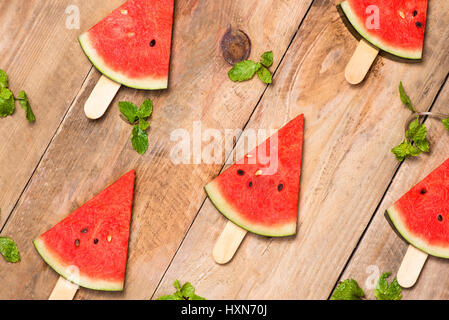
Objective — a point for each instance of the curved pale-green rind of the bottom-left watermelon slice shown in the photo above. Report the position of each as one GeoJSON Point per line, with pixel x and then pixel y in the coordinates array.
{"type": "Point", "coordinates": [84, 281]}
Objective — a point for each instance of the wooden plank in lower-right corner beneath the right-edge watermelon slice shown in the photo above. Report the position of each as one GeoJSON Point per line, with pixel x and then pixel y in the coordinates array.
{"type": "Point", "coordinates": [381, 249]}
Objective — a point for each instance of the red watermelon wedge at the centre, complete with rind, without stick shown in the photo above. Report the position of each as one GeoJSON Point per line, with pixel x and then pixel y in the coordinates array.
{"type": "Point", "coordinates": [261, 192]}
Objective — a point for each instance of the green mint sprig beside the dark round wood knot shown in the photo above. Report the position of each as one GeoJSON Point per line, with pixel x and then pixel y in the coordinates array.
{"type": "Point", "coordinates": [247, 69]}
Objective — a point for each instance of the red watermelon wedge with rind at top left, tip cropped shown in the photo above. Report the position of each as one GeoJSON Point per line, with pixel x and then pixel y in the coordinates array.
{"type": "Point", "coordinates": [132, 45]}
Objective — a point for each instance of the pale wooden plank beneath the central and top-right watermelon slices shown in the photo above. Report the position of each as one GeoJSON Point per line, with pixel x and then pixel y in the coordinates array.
{"type": "Point", "coordinates": [346, 168]}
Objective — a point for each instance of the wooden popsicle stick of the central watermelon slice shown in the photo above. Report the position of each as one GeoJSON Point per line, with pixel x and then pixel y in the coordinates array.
{"type": "Point", "coordinates": [228, 243]}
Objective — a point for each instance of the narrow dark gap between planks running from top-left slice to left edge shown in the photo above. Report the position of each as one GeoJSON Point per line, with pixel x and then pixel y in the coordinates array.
{"type": "Point", "coordinates": [71, 105]}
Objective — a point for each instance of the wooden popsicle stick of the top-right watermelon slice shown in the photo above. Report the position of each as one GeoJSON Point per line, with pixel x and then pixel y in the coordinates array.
{"type": "Point", "coordinates": [360, 63]}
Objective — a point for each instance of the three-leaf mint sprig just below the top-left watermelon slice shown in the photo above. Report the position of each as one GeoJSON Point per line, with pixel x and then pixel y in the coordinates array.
{"type": "Point", "coordinates": [138, 117]}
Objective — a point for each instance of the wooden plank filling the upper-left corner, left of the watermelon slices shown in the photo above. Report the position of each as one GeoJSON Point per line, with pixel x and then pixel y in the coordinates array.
{"type": "Point", "coordinates": [39, 55]}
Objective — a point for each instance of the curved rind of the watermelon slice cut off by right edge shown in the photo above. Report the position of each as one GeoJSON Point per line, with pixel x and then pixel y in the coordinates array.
{"type": "Point", "coordinates": [398, 222]}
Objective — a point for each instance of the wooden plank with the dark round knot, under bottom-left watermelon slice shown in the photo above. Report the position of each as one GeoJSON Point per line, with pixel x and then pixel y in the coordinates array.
{"type": "Point", "coordinates": [85, 156]}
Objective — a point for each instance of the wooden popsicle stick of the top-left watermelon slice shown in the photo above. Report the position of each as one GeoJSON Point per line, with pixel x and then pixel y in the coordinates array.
{"type": "Point", "coordinates": [101, 97]}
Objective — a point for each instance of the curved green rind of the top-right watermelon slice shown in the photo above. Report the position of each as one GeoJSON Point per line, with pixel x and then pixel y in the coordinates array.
{"type": "Point", "coordinates": [360, 28]}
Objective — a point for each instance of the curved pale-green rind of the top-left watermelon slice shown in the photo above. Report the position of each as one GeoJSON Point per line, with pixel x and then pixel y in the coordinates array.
{"type": "Point", "coordinates": [149, 83]}
